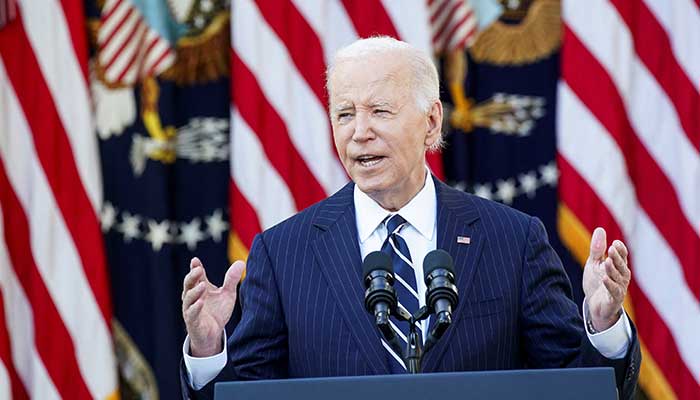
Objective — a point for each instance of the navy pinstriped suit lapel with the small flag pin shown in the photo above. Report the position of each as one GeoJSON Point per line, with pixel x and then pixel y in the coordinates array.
{"type": "Point", "coordinates": [456, 216]}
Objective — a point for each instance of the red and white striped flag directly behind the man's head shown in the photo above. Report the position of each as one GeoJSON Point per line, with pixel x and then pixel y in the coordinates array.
{"type": "Point", "coordinates": [283, 157]}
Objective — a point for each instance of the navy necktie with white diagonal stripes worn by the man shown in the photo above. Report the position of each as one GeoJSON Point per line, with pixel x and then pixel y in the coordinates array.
{"type": "Point", "coordinates": [405, 284]}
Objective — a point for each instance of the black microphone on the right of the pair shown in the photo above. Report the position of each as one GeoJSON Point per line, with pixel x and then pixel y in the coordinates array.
{"type": "Point", "coordinates": [441, 292]}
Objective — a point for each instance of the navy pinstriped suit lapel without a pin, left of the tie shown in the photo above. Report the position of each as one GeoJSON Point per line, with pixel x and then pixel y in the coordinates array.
{"type": "Point", "coordinates": [338, 255]}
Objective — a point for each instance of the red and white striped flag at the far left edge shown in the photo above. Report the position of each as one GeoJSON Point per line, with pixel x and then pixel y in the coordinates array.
{"type": "Point", "coordinates": [54, 307]}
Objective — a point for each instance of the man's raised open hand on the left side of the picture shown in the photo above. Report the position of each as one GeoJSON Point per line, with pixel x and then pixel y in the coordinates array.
{"type": "Point", "coordinates": [206, 308]}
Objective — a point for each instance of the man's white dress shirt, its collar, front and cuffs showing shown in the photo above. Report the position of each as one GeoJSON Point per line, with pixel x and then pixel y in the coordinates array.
{"type": "Point", "coordinates": [420, 236]}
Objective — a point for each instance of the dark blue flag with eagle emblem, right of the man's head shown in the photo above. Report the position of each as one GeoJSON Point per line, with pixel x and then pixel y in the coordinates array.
{"type": "Point", "coordinates": [500, 108]}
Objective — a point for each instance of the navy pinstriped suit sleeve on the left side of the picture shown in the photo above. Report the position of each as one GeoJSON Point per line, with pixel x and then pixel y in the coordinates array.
{"type": "Point", "coordinates": [257, 346]}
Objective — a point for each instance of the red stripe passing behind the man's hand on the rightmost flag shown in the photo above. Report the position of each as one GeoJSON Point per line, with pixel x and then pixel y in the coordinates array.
{"type": "Point", "coordinates": [576, 193]}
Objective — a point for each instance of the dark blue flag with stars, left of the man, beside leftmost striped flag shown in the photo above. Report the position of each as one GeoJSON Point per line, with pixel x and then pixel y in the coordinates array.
{"type": "Point", "coordinates": [160, 86]}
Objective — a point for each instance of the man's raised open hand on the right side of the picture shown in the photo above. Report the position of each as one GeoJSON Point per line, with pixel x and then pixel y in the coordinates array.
{"type": "Point", "coordinates": [605, 280]}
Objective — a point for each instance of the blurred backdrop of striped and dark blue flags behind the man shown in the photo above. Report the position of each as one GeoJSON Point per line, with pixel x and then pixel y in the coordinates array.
{"type": "Point", "coordinates": [136, 134]}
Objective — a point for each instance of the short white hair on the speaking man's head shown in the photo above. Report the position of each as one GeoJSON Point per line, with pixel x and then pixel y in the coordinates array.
{"type": "Point", "coordinates": [424, 81]}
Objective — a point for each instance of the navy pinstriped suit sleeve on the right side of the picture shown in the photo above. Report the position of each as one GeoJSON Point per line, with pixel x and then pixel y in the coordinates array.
{"type": "Point", "coordinates": [552, 331]}
